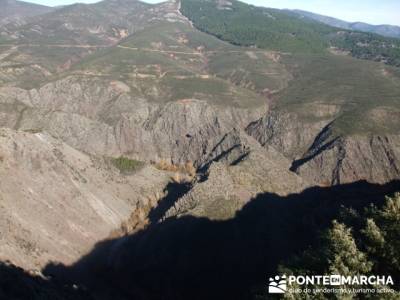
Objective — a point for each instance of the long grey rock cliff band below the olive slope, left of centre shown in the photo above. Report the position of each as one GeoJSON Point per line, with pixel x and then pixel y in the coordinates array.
{"type": "Point", "coordinates": [102, 118]}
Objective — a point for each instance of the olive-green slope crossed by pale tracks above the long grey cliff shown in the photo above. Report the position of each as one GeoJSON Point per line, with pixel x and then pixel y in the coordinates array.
{"type": "Point", "coordinates": [174, 61]}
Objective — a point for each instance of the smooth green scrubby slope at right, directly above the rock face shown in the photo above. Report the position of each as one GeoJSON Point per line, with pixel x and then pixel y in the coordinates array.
{"type": "Point", "coordinates": [366, 93]}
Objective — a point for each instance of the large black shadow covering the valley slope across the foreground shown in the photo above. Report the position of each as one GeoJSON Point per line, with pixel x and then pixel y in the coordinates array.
{"type": "Point", "coordinates": [196, 258]}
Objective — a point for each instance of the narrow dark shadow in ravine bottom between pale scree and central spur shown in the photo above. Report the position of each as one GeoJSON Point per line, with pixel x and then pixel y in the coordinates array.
{"type": "Point", "coordinates": [174, 191]}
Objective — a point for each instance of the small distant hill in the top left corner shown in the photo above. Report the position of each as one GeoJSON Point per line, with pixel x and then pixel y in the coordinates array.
{"type": "Point", "coordinates": [12, 11]}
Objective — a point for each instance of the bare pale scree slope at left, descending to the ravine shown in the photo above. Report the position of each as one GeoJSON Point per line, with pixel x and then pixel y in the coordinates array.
{"type": "Point", "coordinates": [56, 202]}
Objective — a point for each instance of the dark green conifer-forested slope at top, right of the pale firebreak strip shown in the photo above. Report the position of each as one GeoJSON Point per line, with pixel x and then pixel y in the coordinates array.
{"type": "Point", "coordinates": [247, 25]}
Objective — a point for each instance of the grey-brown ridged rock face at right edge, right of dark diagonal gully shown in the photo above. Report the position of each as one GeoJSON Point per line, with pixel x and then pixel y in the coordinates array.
{"type": "Point", "coordinates": [347, 159]}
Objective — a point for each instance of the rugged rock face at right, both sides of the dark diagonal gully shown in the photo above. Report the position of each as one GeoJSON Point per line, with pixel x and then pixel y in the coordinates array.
{"type": "Point", "coordinates": [321, 156]}
